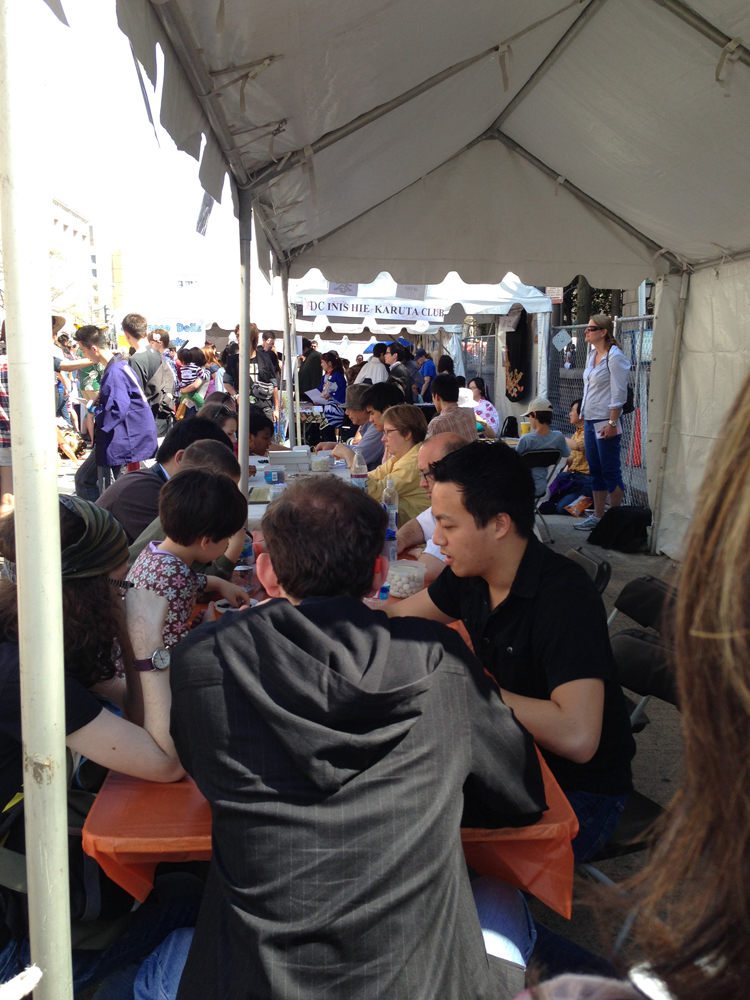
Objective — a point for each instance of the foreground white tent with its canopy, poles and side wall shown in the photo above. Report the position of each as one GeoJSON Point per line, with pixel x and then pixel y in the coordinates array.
{"type": "Point", "coordinates": [418, 138]}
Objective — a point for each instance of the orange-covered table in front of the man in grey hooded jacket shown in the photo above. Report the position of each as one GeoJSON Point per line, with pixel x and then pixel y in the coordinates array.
{"type": "Point", "coordinates": [135, 824]}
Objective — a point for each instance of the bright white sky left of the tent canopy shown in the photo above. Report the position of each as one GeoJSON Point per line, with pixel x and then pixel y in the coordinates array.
{"type": "Point", "coordinates": [142, 195]}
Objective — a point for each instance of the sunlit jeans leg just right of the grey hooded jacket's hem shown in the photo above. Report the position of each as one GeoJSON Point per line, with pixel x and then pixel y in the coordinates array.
{"type": "Point", "coordinates": [504, 917]}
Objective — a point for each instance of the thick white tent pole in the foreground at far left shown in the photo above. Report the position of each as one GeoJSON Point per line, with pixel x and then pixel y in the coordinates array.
{"type": "Point", "coordinates": [25, 203]}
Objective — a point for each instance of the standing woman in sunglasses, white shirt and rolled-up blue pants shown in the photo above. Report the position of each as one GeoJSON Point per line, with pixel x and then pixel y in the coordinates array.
{"type": "Point", "coordinates": [605, 390]}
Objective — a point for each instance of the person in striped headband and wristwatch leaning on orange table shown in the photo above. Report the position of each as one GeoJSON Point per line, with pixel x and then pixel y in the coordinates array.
{"type": "Point", "coordinates": [98, 628]}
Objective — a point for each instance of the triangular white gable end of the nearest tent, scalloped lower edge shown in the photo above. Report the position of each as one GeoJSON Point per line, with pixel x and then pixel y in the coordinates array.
{"type": "Point", "coordinates": [523, 221]}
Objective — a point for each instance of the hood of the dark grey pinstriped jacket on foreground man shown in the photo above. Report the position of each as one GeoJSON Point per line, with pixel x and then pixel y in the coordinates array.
{"type": "Point", "coordinates": [329, 679]}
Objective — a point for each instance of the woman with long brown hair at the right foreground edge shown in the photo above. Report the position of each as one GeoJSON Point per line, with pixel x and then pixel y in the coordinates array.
{"type": "Point", "coordinates": [693, 898]}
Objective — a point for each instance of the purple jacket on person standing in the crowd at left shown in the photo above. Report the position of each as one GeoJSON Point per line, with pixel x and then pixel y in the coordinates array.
{"type": "Point", "coordinates": [125, 428]}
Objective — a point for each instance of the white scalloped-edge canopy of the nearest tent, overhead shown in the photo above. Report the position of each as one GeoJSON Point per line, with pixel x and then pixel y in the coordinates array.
{"type": "Point", "coordinates": [606, 138]}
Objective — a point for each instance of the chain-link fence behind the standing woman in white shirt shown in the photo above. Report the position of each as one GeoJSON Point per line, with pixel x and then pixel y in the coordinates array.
{"type": "Point", "coordinates": [566, 359]}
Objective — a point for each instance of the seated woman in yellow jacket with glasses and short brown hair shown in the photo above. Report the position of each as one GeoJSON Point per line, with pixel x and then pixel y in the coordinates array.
{"type": "Point", "coordinates": [404, 430]}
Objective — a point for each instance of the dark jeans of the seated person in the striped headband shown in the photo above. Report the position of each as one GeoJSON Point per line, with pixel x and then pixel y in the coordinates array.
{"type": "Point", "coordinates": [174, 902]}
